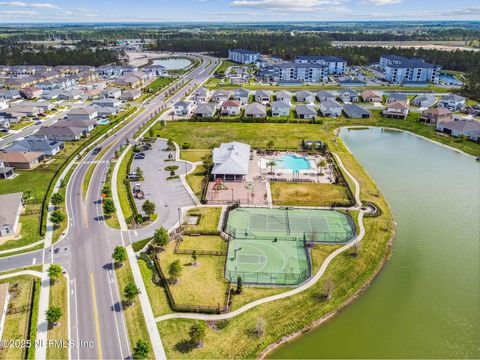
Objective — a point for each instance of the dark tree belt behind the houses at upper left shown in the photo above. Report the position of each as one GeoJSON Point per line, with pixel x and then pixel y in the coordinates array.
{"type": "Point", "coordinates": [27, 55]}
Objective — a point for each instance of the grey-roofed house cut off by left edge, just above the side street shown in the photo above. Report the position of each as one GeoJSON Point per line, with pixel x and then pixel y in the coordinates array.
{"type": "Point", "coordinates": [12, 207]}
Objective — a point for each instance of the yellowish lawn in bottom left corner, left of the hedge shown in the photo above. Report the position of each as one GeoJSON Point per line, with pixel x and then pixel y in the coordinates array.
{"type": "Point", "coordinates": [16, 325]}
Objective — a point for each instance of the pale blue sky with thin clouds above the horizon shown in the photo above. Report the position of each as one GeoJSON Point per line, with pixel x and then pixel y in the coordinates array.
{"type": "Point", "coordinates": [235, 10]}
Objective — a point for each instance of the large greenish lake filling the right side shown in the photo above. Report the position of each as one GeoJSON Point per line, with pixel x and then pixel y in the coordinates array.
{"type": "Point", "coordinates": [425, 302]}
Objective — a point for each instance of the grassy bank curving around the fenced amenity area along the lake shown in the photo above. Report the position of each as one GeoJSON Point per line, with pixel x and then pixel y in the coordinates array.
{"type": "Point", "coordinates": [283, 317]}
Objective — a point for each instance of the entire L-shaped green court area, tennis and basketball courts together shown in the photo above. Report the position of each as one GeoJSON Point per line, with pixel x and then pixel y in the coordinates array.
{"type": "Point", "coordinates": [268, 245]}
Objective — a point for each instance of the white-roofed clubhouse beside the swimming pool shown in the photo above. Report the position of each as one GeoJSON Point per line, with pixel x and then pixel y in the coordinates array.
{"type": "Point", "coordinates": [231, 161]}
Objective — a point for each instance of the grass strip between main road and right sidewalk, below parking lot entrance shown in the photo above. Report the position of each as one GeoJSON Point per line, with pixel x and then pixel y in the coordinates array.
{"type": "Point", "coordinates": [133, 314]}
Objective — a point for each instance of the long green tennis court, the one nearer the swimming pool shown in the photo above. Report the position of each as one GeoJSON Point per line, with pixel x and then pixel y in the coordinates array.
{"type": "Point", "coordinates": [293, 224]}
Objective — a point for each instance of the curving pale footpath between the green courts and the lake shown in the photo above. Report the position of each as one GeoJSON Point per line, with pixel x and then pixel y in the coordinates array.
{"type": "Point", "coordinates": [312, 281]}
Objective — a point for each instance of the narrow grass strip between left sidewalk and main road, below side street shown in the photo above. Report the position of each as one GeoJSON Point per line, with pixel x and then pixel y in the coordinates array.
{"type": "Point", "coordinates": [58, 297]}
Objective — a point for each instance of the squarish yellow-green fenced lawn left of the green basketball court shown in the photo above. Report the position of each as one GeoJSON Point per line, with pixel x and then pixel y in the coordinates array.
{"type": "Point", "coordinates": [202, 284]}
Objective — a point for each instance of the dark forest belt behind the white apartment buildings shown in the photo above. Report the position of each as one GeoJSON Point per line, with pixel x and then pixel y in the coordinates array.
{"type": "Point", "coordinates": [287, 46]}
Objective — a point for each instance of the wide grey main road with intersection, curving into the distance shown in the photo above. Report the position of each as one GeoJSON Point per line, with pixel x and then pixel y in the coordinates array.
{"type": "Point", "coordinates": [86, 251]}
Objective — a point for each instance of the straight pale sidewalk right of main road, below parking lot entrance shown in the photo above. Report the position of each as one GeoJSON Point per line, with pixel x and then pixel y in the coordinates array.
{"type": "Point", "coordinates": [155, 340]}
